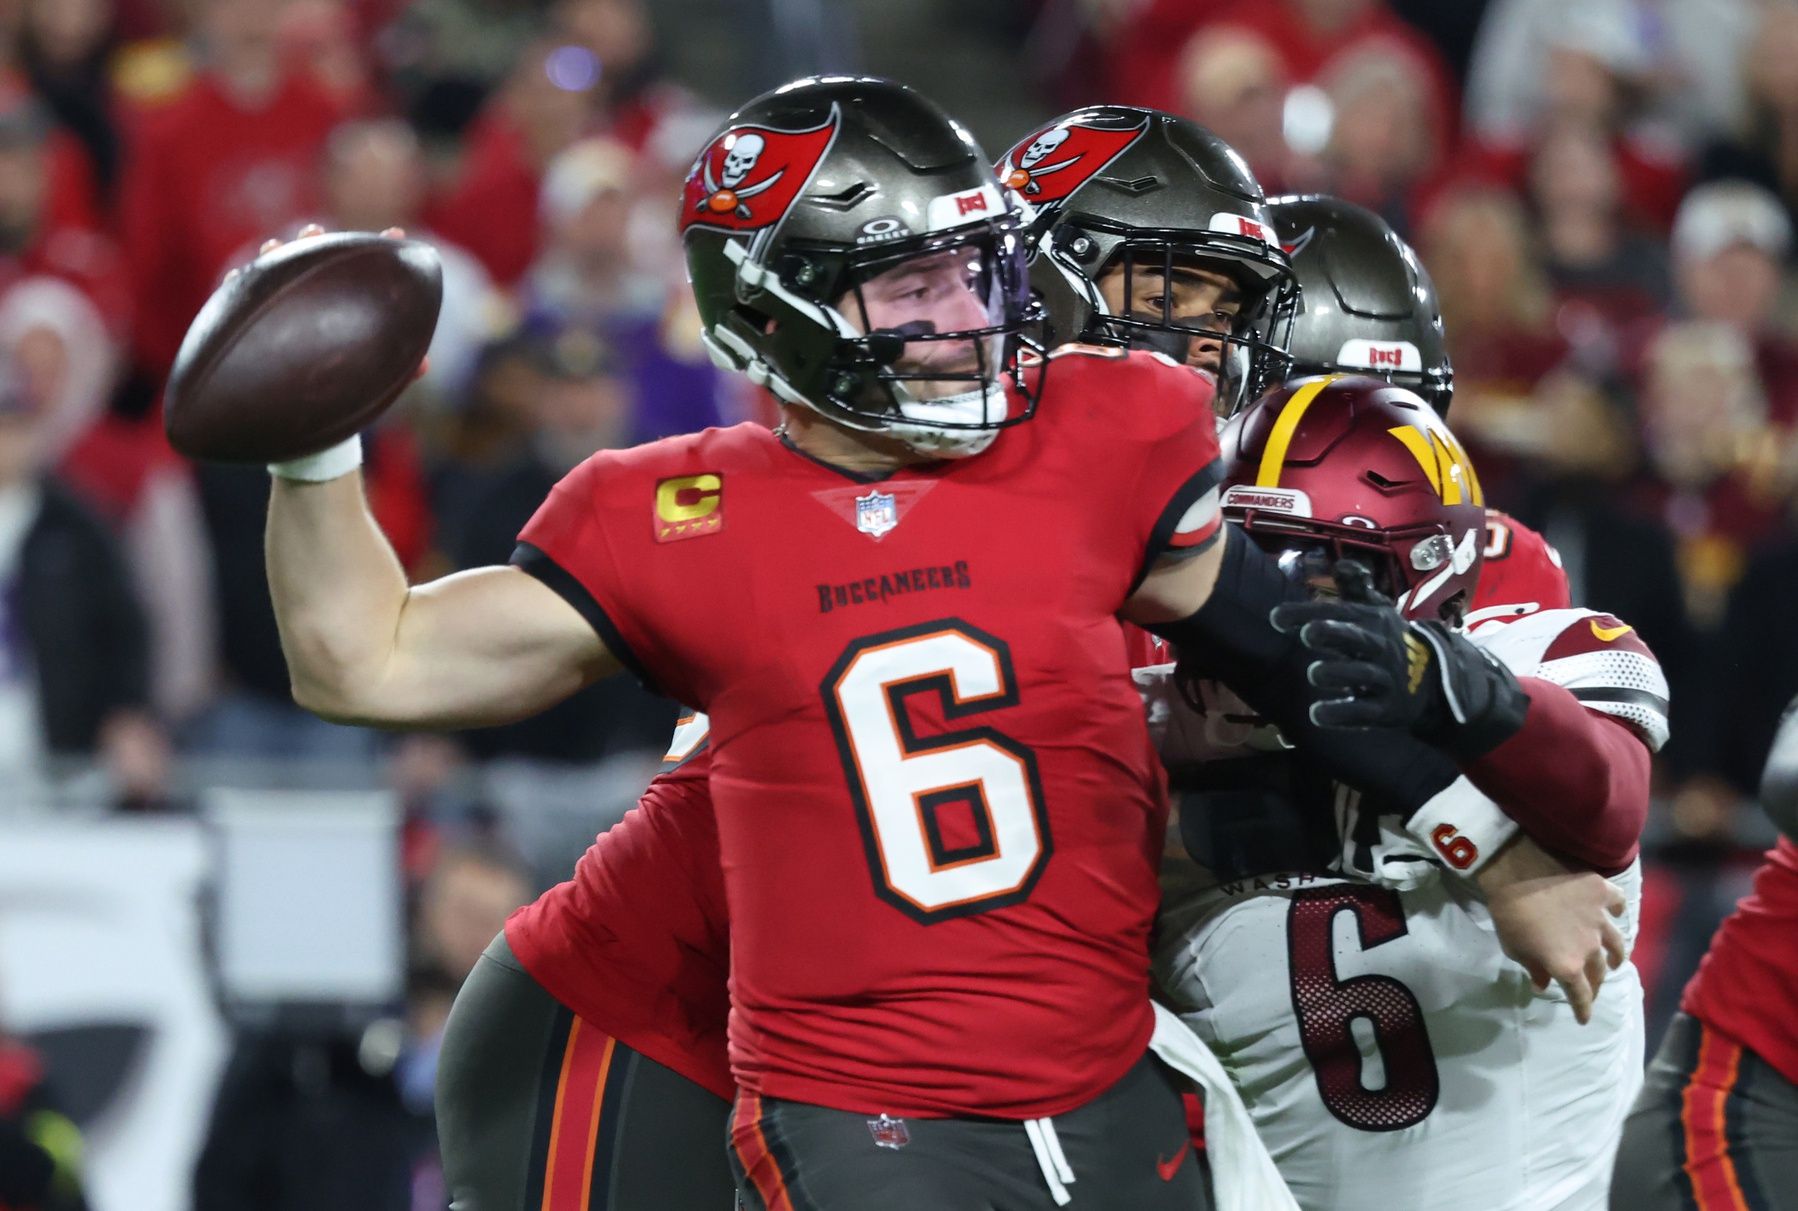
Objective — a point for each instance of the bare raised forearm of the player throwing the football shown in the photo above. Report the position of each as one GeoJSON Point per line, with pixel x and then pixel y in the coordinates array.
{"type": "Point", "coordinates": [339, 592]}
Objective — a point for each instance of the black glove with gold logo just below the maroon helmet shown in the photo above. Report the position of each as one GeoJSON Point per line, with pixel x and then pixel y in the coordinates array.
{"type": "Point", "coordinates": [1378, 671]}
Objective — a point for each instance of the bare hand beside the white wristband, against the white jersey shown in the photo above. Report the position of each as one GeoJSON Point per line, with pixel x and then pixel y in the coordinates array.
{"type": "Point", "coordinates": [1556, 921]}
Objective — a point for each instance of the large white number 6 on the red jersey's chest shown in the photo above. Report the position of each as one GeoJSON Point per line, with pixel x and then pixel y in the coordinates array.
{"type": "Point", "coordinates": [954, 824]}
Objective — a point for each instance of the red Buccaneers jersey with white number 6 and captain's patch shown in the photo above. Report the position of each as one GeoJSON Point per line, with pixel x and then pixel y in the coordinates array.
{"type": "Point", "coordinates": [938, 806]}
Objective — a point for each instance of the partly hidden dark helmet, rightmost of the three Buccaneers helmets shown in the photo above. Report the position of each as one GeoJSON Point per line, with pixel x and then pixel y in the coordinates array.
{"type": "Point", "coordinates": [1367, 305]}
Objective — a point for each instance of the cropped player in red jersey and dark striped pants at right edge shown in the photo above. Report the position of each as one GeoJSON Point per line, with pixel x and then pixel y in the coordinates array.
{"type": "Point", "coordinates": [1716, 1126]}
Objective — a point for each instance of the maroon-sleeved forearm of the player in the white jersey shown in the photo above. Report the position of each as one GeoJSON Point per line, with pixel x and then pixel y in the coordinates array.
{"type": "Point", "coordinates": [1576, 781]}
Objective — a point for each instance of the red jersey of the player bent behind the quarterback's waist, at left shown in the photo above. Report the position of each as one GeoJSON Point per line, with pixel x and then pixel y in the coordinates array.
{"type": "Point", "coordinates": [637, 942]}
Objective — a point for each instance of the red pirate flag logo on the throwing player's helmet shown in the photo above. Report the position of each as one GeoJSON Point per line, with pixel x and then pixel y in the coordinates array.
{"type": "Point", "coordinates": [751, 175]}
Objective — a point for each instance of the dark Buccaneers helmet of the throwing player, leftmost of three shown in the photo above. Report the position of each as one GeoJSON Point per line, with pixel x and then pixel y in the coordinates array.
{"type": "Point", "coordinates": [850, 251]}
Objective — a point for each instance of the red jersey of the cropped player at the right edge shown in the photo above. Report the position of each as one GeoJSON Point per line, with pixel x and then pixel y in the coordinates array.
{"type": "Point", "coordinates": [1747, 986]}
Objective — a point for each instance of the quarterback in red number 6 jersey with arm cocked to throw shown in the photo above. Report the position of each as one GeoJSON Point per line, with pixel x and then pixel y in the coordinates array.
{"type": "Point", "coordinates": [939, 915]}
